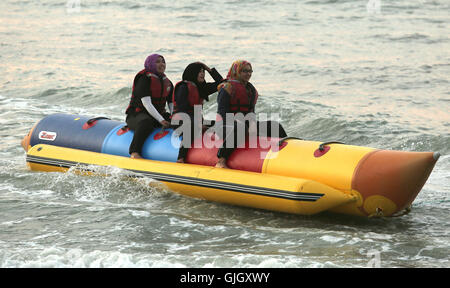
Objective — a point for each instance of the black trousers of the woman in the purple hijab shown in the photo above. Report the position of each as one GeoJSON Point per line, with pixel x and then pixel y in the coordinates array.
{"type": "Point", "coordinates": [143, 125]}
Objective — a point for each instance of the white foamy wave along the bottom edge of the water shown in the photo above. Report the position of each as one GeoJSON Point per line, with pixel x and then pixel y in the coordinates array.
{"type": "Point", "coordinates": [60, 257]}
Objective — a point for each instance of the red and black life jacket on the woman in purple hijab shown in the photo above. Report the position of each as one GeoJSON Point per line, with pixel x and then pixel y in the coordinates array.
{"type": "Point", "coordinates": [159, 90]}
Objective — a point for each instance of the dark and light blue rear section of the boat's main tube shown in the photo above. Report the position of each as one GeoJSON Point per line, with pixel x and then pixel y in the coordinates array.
{"type": "Point", "coordinates": [104, 136]}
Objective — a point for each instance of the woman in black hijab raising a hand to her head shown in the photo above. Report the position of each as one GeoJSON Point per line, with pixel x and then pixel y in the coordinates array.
{"type": "Point", "coordinates": [190, 92]}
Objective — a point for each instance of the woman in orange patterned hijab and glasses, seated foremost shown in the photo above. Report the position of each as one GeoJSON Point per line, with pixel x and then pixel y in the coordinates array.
{"type": "Point", "coordinates": [238, 95]}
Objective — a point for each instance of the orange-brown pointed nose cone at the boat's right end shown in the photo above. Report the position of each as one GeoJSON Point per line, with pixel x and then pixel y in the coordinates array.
{"type": "Point", "coordinates": [389, 181]}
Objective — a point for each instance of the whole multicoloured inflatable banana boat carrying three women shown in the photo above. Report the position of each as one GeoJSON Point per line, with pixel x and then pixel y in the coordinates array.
{"type": "Point", "coordinates": [289, 175]}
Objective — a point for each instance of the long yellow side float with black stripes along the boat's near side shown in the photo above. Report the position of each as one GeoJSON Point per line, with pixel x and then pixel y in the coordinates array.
{"type": "Point", "coordinates": [271, 192]}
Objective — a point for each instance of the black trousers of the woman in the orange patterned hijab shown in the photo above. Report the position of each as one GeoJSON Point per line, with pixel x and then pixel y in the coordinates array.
{"type": "Point", "coordinates": [263, 129]}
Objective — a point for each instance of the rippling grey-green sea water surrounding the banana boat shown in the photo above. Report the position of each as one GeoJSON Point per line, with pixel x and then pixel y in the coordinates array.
{"type": "Point", "coordinates": [371, 73]}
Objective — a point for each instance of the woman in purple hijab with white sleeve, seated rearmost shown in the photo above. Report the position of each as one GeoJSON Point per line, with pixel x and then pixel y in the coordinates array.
{"type": "Point", "coordinates": [147, 109]}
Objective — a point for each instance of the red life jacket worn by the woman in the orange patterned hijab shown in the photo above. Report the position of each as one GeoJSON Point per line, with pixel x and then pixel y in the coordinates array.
{"type": "Point", "coordinates": [242, 100]}
